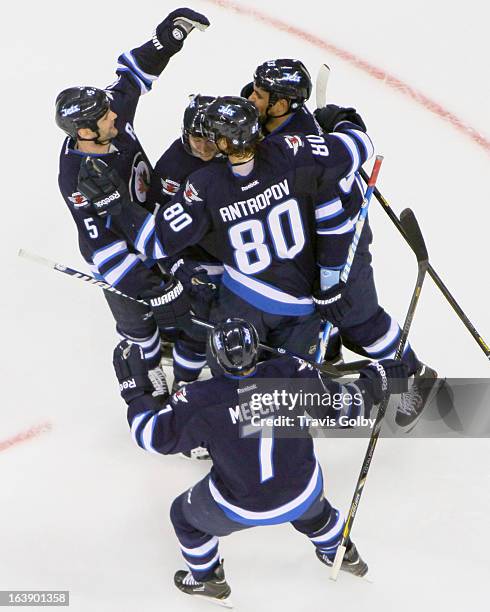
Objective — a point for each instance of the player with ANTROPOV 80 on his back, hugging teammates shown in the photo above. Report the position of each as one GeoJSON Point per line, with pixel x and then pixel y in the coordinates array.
{"type": "Point", "coordinates": [256, 215]}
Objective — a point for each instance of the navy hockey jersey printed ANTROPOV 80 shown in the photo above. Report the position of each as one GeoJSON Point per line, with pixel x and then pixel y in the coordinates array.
{"type": "Point", "coordinates": [263, 227]}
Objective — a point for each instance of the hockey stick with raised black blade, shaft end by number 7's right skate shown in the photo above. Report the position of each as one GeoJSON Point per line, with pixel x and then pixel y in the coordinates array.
{"type": "Point", "coordinates": [416, 241]}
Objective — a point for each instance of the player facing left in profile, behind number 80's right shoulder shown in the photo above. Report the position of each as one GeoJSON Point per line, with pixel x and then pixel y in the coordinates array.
{"type": "Point", "coordinates": [279, 91]}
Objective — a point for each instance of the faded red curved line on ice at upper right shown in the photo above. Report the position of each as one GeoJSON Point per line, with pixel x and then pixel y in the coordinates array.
{"type": "Point", "coordinates": [377, 73]}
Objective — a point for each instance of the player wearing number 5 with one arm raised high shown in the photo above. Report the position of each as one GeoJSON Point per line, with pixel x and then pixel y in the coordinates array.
{"type": "Point", "coordinates": [99, 124]}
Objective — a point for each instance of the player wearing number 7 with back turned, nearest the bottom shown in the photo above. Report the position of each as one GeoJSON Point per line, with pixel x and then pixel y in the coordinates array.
{"type": "Point", "coordinates": [259, 477]}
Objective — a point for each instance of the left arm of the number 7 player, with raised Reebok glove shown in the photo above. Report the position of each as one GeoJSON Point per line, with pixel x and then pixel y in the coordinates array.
{"type": "Point", "coordinates": [163, 425]}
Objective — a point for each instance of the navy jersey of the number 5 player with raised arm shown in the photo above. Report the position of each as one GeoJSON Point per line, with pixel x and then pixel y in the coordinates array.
{"type": "Point", "coordinates": [103, 245]}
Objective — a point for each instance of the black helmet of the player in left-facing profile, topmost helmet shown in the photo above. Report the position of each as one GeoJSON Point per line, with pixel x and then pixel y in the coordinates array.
{"type": "Point", "coordinates": [284, 78]}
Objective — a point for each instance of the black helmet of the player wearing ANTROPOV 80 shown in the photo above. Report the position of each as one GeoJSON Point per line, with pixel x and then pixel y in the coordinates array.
{"type": "Point", "coordinates": [233, 118]}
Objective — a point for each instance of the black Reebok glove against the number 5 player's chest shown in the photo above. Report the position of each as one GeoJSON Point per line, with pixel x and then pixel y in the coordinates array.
{"type": "Point", "coordinates": [102, 186]}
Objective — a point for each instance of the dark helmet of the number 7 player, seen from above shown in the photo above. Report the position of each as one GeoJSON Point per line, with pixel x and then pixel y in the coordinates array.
{"type": "Point", "coordinates": [234, 344]}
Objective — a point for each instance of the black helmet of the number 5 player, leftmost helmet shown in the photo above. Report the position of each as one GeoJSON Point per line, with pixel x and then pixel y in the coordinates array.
{"type": "Point", "coordinates": [80, 107]}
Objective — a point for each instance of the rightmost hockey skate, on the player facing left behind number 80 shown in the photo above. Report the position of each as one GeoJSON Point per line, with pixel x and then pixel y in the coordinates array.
{"type": "Point", "coordinates": [422, 390]}
